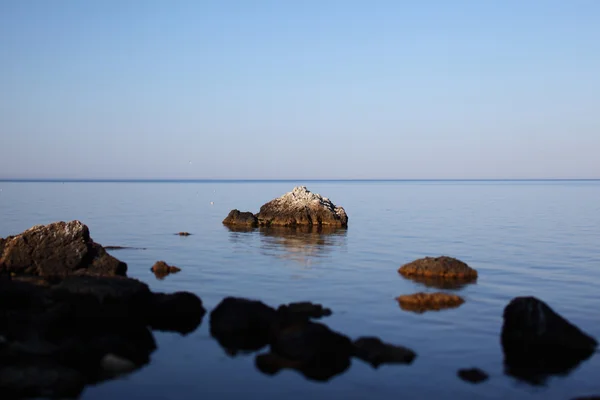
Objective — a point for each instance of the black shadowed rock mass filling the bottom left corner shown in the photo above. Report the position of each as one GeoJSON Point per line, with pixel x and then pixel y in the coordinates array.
{"type": "Point", "coordinates": [58, 338]}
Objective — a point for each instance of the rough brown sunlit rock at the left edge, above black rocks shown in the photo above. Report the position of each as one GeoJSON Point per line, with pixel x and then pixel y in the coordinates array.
{"type": "Point", "coordinates": [57, 249]}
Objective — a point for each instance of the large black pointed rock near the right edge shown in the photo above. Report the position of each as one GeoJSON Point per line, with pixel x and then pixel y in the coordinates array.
{"type": "Point", "coordinates": [537, 342]}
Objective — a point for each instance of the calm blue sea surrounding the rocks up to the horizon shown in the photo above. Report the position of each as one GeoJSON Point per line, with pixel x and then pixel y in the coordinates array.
{"type": "Point", "coordinates": [538, 238]}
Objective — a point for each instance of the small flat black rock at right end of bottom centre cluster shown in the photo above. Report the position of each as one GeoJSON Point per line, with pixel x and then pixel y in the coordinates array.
{"type": "Point", "coordinates": [373, 351]}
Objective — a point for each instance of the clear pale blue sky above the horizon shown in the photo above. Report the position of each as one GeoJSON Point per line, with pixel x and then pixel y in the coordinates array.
{"type": "Point", "coordinates": [311, 89]}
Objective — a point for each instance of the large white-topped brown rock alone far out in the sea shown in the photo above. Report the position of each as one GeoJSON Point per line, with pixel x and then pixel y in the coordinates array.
{"type": "Point", "coordinates": [301, 207]}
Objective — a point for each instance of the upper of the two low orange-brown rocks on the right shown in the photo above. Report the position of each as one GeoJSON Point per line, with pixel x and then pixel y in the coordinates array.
{"type": "Point", "coordinates": [443, 267]}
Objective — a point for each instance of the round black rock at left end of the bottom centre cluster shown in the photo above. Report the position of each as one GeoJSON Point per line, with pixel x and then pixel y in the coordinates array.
{"type": "Point", "coordinates": [242, 324]}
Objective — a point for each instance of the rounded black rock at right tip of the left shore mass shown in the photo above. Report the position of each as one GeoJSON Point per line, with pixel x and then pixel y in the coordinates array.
{"type": "Point", "coordinates": [181, 312]}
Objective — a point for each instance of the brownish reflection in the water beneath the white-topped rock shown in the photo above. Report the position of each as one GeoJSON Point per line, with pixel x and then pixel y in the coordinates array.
{"type": "Point", "coordinates": [301, 244]}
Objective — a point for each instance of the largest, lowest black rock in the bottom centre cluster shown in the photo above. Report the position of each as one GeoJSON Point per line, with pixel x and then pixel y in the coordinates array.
{"type": "Point", "coordinates": [310, 348]}
